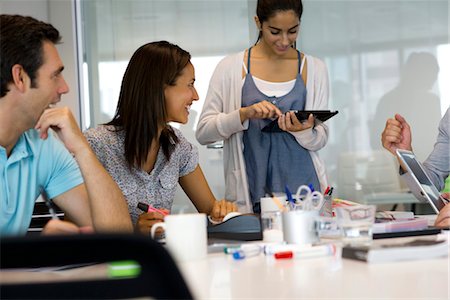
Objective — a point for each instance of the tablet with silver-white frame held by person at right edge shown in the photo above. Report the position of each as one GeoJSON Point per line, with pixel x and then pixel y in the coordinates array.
{"type": "Point", "coordinates": [421, 185]}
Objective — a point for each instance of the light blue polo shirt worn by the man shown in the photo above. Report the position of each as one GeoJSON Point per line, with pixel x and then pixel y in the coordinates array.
{"type": "Point", "coordinates": [34, 164]}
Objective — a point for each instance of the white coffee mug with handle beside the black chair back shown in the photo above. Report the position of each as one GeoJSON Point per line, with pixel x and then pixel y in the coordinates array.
{"type": "Point", "coordinates": [186, 236]}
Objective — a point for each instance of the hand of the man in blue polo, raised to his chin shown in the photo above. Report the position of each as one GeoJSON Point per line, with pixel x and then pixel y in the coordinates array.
{"type": "Point", "coordinates": [63, 123]}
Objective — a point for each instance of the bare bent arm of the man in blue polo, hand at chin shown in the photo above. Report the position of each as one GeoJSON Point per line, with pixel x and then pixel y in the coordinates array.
{"type": "Point", "coordinates": [99, 201]}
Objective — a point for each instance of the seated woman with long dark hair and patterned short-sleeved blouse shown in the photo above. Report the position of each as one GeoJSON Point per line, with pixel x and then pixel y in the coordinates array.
{"type": "Point", "coordinates": [144, 154]}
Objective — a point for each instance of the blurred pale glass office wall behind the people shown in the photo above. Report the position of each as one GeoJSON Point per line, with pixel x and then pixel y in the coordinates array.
{"type": "Point", "coordinates": [383, 57]}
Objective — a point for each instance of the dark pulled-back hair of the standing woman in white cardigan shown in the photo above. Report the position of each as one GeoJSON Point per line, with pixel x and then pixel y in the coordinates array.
{"type": "Point", "coordinates": [265, 9]}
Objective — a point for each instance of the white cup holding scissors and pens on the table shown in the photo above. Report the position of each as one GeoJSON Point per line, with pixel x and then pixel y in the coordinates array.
{"type": "Point", "coordinates": [299, 226]}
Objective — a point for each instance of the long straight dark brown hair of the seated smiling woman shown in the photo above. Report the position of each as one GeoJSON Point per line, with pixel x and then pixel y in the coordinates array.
{"type": "Point", "coordinates": [141, 107]}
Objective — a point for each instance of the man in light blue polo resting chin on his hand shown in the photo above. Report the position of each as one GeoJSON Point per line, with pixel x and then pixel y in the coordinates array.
{"type": "Point", "coordinates": [32, 159]}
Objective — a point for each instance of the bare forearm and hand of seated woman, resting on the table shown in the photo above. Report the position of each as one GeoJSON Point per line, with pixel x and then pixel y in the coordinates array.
{"type": "Point", "coordinates": [197, 189]}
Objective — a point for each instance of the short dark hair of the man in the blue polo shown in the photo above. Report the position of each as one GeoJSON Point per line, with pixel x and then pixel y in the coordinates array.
{"type": "Point", "coordinates": [21, 41]}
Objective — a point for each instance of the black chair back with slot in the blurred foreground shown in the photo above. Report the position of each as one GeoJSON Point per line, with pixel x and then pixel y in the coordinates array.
{"type": "Point", "coordinates": [159, 276]}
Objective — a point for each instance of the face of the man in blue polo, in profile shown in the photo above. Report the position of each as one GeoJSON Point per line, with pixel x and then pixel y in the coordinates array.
{"type": "Point", "coordinates": [50, 83]}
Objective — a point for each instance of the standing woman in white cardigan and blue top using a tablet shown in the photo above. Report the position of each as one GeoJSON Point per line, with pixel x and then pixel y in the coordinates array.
{"type": "Point", "coordinates": [250, 88]}
